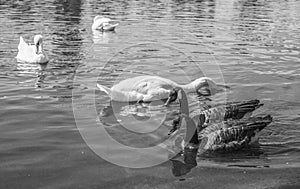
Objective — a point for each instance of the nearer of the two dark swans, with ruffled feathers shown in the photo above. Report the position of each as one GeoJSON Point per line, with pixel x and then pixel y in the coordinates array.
{"type": "Point", "coordinates": [223, 136]}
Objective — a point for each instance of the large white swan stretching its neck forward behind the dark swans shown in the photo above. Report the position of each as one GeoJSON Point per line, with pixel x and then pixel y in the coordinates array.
{"type": "Point", "coordinates": [151, 88]}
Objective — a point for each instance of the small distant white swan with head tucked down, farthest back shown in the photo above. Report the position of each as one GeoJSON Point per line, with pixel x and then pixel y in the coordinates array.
{"type": "Point", "coordinates": [103, 24]}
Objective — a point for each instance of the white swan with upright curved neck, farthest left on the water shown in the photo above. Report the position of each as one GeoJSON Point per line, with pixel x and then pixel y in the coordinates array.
{"type": "Point", "coordinates": [32, 53]}
